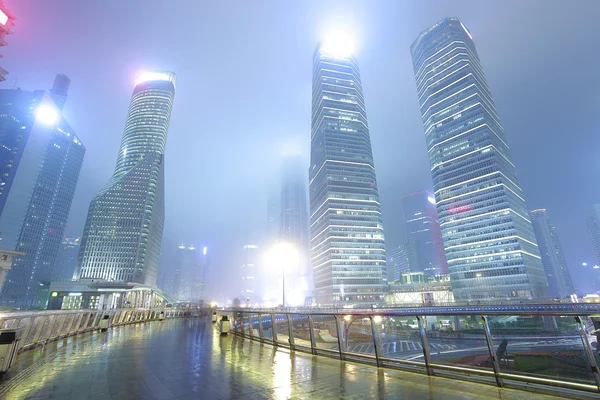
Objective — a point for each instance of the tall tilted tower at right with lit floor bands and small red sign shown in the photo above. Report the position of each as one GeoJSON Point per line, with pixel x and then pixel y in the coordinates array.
{"type": "Point", "coordinates": [488, 239]}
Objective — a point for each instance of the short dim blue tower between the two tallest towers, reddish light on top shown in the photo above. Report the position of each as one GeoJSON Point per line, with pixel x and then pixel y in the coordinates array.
{"type": "Point", "coordinates": [422, 231]}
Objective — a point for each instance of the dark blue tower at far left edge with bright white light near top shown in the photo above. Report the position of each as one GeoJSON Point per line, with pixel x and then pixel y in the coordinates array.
{"type": "Point", "coordinates": [40, 161]}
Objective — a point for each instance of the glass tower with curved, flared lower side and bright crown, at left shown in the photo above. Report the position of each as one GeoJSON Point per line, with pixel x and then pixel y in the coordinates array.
{"type": "Point", "coordinates": [123, 230]}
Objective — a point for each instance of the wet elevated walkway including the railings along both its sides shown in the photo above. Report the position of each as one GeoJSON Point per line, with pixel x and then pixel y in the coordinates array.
{"type": "Point", "coordinates": [385, 354]}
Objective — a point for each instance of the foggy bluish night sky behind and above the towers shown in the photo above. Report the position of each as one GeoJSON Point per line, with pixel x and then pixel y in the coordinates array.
{"type": "Point", "coordinates": [244, 98]}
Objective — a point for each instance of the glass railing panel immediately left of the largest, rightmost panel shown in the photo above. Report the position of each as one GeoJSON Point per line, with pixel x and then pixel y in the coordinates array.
{"type": "Point", "coordinates": [457, 341]}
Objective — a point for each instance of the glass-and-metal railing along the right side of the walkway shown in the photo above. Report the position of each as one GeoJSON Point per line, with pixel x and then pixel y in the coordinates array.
{"type": "Point", "coordinates": [282, 328]}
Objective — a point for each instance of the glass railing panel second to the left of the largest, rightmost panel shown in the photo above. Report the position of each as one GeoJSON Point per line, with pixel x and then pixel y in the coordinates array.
{"type": "Point", "coordinates": [400, 338]}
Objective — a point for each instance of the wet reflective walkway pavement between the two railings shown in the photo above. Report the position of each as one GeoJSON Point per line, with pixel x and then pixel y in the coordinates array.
{"type": "Point", "coordinates": [188, 359]}
